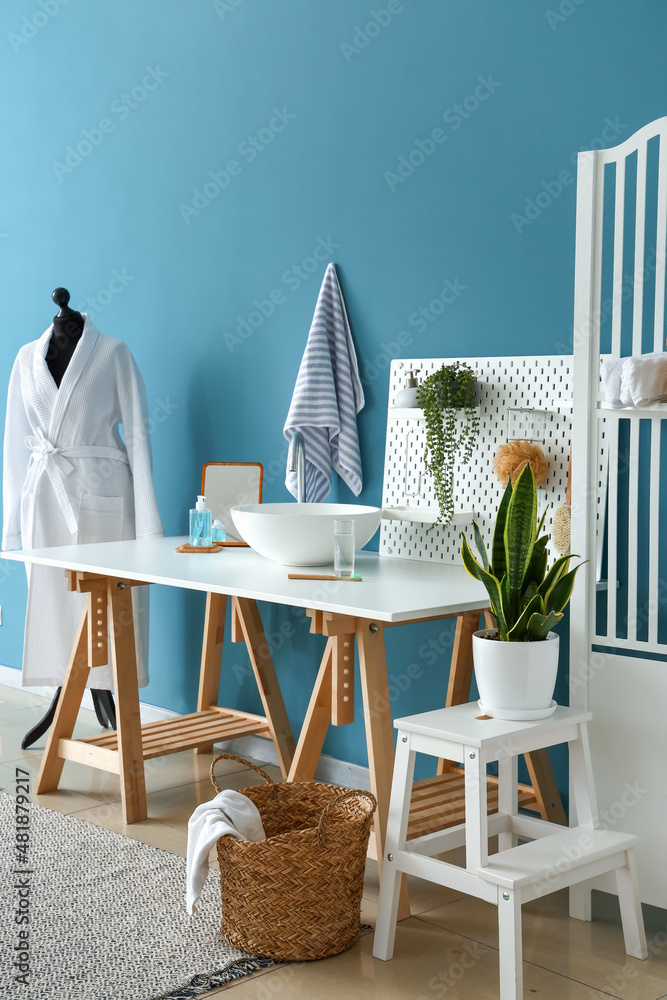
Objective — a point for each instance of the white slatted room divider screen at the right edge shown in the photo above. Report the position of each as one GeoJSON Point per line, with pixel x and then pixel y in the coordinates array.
{"type": "Point", "coordinates": [619, 634]}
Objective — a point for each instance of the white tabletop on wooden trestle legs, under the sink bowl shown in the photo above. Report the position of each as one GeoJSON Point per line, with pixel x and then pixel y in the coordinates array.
{"type": "Point", "coordinates": [391, 590]}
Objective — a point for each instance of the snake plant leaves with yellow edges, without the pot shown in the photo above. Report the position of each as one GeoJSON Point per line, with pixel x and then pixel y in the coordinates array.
{"type": "Point", "coordinates": [525, 599]}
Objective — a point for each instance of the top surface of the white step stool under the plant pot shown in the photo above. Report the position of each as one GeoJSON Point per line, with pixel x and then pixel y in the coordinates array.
{"type": "Point", "coordinates": [466, 724]}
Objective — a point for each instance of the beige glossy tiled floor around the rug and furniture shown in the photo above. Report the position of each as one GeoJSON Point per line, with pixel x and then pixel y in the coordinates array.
{"type": "Point", "coordinates": [448, 948]}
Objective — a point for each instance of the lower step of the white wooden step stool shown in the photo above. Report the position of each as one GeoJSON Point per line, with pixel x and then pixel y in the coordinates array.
{"type": "Point", "coordinates": [545, 858]}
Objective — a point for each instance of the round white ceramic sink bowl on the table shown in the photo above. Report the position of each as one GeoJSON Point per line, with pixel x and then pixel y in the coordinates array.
{"type": "Point", "coordinates": [301, 534]}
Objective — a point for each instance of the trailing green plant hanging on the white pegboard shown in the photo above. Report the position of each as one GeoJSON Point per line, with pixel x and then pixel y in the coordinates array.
{"type": "Point", "coordinates": [448, 433]}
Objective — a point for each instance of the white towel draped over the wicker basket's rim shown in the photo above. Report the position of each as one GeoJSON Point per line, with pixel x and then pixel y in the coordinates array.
{"type": "Point", "coordinates": [231, 814]}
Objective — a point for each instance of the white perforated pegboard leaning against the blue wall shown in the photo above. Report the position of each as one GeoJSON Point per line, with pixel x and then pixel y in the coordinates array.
{"type": "Point", "coordinates": [505, 386]}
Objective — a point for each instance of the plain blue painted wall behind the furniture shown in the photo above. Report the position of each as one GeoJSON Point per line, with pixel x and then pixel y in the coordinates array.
{"type": "Point", "coordinates": [343, 97]}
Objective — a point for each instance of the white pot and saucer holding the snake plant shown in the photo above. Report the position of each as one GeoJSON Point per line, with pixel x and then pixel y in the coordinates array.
{"type": "Point", "coordinates": [515, 680]}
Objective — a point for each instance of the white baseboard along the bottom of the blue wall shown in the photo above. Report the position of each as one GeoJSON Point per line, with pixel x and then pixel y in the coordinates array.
{"type": "Point", "coordinates": [256, 748]}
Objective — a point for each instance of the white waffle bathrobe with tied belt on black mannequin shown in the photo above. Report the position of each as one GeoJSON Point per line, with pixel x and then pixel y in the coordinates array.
{"type": "Point", "coordinates": [69, 477]}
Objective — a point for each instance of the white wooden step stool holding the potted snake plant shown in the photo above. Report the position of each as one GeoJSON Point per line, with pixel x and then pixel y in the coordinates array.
{"type": "Point", "coordinates": [554, 857]}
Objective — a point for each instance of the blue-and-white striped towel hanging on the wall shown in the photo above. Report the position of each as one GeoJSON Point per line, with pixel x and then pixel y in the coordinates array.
{"type": "Point", "coordinates": [327, 397]}
